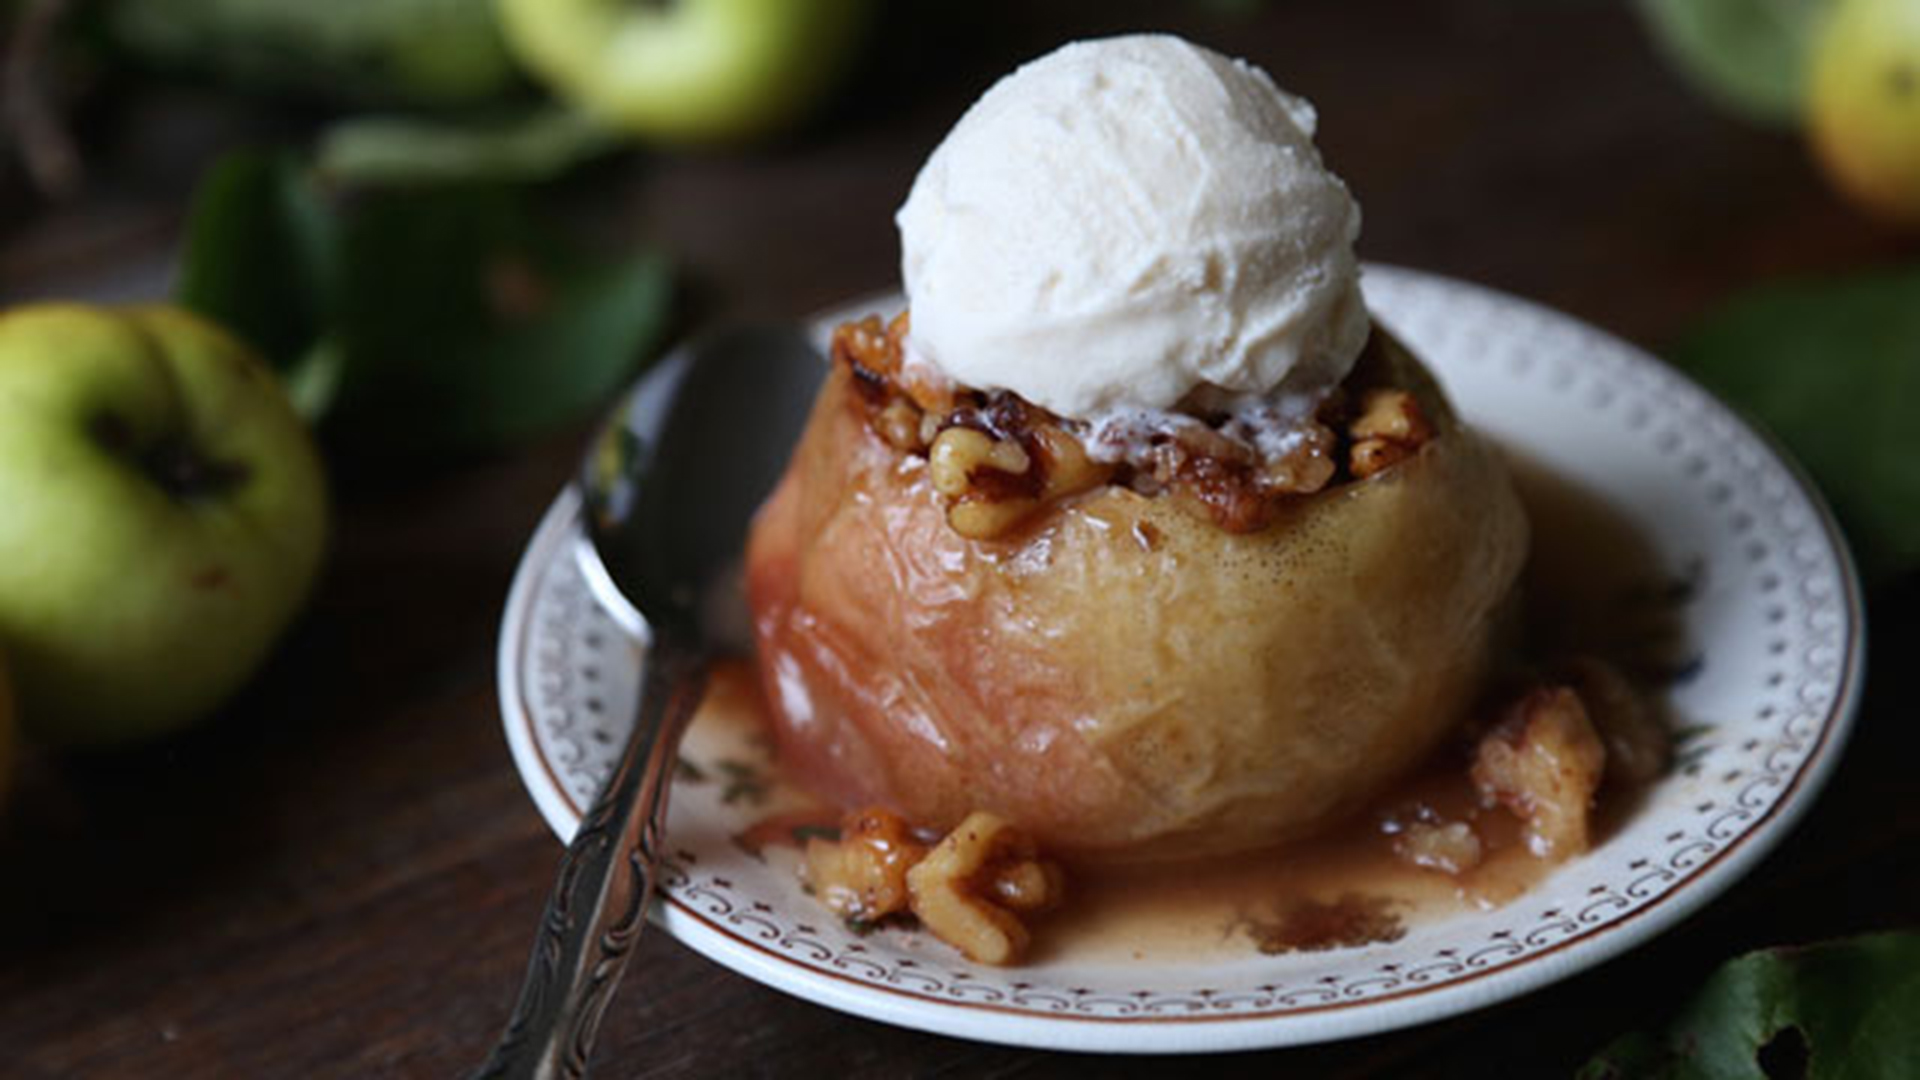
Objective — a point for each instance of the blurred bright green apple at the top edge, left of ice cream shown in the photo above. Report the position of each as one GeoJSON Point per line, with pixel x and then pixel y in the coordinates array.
{"type": "Point", "coordinates": [686, 70]}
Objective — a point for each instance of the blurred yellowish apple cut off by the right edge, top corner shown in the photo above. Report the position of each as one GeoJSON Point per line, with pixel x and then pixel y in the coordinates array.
{"type": "Point", "coordinates": [1863, 107]}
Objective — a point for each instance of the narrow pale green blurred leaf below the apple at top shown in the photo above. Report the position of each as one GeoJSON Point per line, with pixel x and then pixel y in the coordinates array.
{"type": "Point", "coordinates": [533, 145]}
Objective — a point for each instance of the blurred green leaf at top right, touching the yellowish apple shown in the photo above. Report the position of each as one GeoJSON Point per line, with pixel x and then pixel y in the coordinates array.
{"type": "Point", "coordinates": [1746, 55]}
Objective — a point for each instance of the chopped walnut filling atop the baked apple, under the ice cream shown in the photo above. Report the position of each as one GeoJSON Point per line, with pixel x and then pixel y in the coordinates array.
{"type": "Point", "coordinates": [997, 458]}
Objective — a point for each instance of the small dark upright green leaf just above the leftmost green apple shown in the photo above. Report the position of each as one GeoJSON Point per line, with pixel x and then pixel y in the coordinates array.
{"type": "Point", "coordinates": [258, 255]}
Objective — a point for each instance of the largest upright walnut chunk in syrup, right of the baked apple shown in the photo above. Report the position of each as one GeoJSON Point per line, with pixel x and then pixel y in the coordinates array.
{"type": "Point", "coordinates": [1545, 764]}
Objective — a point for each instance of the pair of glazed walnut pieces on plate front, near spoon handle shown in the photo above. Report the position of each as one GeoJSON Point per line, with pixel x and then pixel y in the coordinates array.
{"type": "Point", "coordinates": [972, 891]}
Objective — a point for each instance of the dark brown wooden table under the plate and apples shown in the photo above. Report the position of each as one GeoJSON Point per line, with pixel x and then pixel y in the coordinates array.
{"type": "Point", "coordinates": [339, 875]}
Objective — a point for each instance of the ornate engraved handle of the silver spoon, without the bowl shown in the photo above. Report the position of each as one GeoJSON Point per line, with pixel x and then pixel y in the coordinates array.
{"type": "Point", "coordinates": [600, 900]}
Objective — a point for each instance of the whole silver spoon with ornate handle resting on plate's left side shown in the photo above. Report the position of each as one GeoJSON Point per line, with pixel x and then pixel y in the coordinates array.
{"type": "Point", "coordinates": [669, 491]}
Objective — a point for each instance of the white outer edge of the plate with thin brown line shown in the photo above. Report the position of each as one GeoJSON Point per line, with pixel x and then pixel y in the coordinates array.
{"type": "Point", "coordinates": [1184, 1033]}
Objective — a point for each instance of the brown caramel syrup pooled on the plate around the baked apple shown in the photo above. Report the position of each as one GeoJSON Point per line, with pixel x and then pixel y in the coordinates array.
{"type": "Point", "coordinates": [1593, 585]}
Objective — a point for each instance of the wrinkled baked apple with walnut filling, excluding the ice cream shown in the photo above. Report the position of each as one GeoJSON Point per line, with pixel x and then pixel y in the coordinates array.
{"type": "Point", "coordinates": [1136, 662]}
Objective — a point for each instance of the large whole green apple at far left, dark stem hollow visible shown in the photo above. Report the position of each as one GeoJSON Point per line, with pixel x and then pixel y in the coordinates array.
{"type": "Point", "coordinates": [166, 516]}
